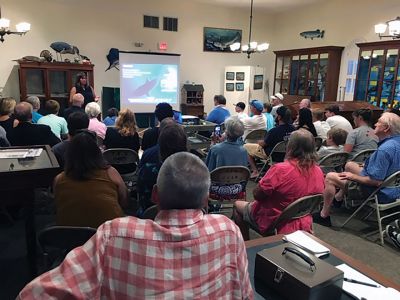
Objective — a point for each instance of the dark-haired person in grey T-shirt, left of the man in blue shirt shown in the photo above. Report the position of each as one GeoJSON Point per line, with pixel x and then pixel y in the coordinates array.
{"type": "Point", "coordinates": [361, 138]}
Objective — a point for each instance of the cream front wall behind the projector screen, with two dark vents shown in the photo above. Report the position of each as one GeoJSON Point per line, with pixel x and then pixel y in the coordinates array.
{"type": "Point", "coordinates": [95, 26]}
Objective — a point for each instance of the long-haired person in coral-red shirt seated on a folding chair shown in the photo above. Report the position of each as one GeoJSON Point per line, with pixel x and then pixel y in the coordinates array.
{"type": "Point", "coordinates": [283, 184]}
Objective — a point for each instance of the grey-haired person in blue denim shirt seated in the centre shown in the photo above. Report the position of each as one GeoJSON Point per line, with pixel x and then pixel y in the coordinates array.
{"type": "Point", "coordinates": [230, 152]}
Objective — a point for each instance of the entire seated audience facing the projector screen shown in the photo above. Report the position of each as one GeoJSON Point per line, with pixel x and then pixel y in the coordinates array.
{"type": "Point", "coordinates": [90, 192]}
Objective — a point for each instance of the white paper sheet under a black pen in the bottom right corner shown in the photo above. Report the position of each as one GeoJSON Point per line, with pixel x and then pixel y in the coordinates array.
{"type": "Point", "coordinates": [361, 291]}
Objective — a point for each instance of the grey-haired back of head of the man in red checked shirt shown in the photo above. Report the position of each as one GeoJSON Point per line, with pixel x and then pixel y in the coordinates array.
{"type": "Point", "coordinates": [183, 182]}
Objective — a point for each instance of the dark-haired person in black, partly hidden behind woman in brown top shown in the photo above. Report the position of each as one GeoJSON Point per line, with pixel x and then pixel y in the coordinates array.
{"type": "Point", "coordinates": [76, 121]}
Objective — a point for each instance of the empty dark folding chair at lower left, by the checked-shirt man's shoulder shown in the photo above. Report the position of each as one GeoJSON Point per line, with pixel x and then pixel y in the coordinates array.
{"type": "Point", "coordinates": [62, 239]}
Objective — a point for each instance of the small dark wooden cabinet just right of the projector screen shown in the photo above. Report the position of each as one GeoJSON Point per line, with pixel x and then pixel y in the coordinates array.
{"type": "Point", "coordinates": [192, 100]}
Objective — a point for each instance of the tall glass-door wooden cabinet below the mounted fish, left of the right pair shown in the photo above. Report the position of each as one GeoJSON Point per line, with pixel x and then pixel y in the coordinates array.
{"type": "Point", "coordinates": [310, 72]}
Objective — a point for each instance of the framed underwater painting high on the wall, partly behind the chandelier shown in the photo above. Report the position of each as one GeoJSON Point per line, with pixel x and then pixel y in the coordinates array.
{"type": "Point", "coordinates": [219, 39]}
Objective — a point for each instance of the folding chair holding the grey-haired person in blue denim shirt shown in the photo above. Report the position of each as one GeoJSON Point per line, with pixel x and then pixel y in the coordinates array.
{"type": "Point", "coordinates": [228, 184]}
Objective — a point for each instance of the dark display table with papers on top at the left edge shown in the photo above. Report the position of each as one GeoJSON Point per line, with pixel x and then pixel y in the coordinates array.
{"type": "Point", "coordinates": [20, 176]}
